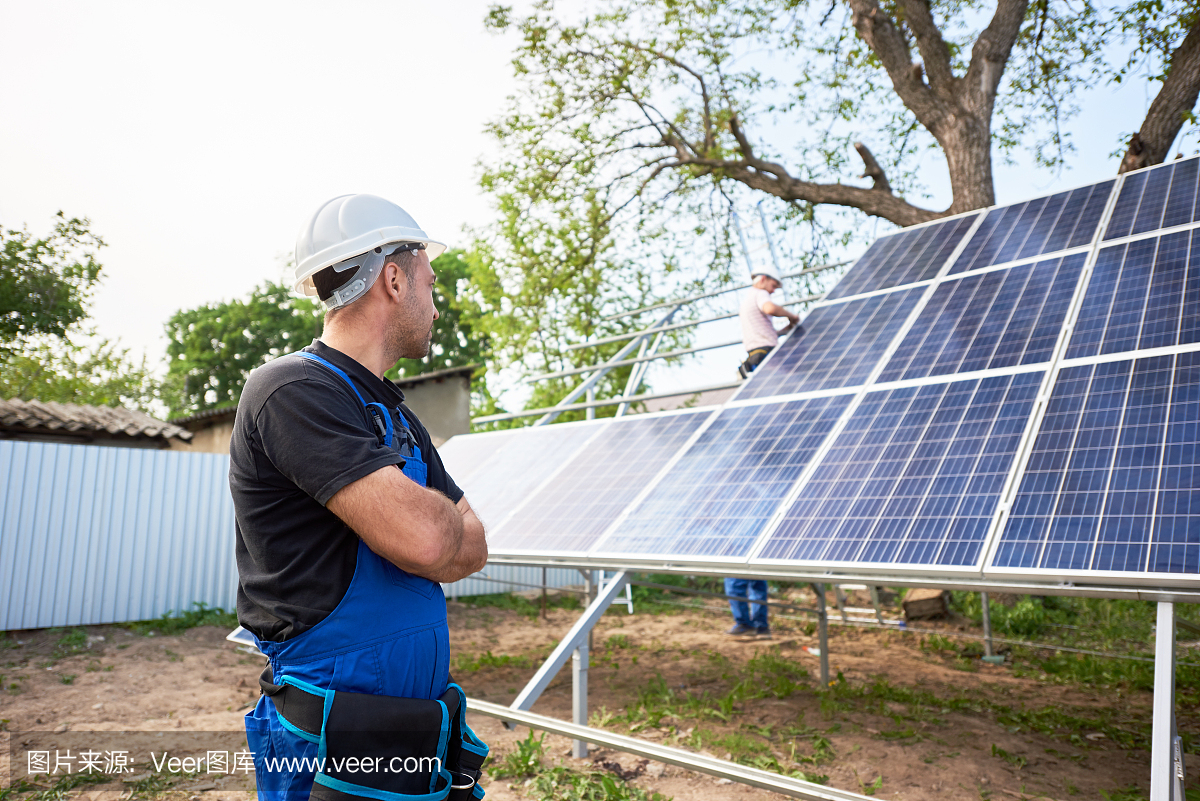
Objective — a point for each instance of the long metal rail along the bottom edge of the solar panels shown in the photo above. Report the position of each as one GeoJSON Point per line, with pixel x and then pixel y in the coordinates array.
{"type": "Point", "coordinates": [800, 574]}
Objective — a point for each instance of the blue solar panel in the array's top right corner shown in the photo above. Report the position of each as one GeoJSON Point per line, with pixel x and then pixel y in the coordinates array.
{"type": "Point", "coordinates": [1156, 198]}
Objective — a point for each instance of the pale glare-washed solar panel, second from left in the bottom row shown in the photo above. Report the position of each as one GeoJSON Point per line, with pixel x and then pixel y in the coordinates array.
{"type": "Point", "coordinates": [587, 496]}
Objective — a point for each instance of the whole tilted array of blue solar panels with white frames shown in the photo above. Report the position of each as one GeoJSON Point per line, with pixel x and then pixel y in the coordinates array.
{"type": "Point", "coordinates": [1012, 394]}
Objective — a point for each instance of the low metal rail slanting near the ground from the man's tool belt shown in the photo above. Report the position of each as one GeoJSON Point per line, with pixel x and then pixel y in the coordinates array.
{"type": "Point", "coordinates": [700, 763]}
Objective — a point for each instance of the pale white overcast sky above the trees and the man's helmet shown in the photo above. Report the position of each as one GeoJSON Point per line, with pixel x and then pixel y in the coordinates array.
{"type": "Point", "coordinates": [200, 137]}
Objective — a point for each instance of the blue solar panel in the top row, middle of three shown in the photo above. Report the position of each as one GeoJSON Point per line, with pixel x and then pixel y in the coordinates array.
{"type": "Point", "coordinates": [1029, 230]}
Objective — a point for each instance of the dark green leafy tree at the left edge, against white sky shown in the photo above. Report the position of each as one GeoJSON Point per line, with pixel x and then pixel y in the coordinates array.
{"type": "Point", "coordinates": [46, 284]}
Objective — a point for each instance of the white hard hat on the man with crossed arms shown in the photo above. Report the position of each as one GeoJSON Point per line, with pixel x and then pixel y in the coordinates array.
{"type": "Point", "coordinates": [352, 226]}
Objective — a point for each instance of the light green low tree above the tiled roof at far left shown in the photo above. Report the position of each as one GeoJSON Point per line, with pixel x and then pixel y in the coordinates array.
{"type": "Point", "coordinates": [62, 370]}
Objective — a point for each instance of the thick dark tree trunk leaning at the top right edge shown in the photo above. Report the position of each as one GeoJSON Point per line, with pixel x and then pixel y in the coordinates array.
{"type": "Point", "coordinates": [1167, 115]}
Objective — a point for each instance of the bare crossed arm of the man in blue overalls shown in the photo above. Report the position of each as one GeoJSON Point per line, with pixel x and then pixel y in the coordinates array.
{"type": "Point", "coordinates": [417, 529]}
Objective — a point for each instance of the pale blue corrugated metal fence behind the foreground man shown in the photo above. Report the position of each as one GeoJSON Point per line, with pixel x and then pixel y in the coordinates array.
{"type": "Point", "coordinates": [100, 535]}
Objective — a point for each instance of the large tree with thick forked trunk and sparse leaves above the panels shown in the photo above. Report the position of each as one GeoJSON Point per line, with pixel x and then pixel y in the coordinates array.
{"type": "Point", "coordinates": [659, 100]}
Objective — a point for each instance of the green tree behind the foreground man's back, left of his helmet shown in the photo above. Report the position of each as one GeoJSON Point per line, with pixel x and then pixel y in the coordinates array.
{"type": "Point", "coordinates": [213, 348]}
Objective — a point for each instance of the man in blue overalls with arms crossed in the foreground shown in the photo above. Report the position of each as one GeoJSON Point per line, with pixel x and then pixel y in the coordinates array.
{"type": "Point", "coordinates": [347, 523]}
